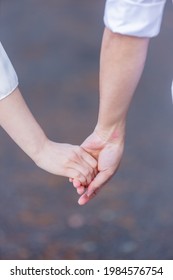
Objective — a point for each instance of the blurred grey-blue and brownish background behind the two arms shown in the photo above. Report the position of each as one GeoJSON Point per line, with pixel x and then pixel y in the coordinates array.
{"type": "Point", "coordinates": [54, 46]}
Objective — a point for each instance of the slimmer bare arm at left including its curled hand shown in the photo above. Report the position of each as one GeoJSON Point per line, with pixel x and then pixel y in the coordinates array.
{"type": "Point", "coordinates": [56, 158]}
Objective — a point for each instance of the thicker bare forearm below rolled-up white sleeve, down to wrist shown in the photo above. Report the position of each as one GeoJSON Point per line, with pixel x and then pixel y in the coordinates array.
{"type": "Point", "coordinates": [121, 64]}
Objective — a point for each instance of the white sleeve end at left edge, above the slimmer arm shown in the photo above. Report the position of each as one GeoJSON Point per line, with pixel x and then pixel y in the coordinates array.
{"type": "Point", "coordinates": [8, 77]}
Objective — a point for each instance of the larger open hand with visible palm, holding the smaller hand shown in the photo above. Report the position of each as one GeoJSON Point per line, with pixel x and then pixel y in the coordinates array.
{"type": "Point", "coordinates": [108, 155]}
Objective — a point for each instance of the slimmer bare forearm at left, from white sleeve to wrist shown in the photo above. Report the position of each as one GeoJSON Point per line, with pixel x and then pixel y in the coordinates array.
{"type": "Point", "coordinates": [17, 120]}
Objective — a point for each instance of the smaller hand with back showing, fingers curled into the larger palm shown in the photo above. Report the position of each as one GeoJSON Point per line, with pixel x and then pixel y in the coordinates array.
{"type": "Point", "coordinates": [67, 160]}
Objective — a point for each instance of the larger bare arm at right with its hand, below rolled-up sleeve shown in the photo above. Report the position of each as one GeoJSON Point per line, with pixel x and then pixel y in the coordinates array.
{"type": "Point", "coordinates": [121, 64]}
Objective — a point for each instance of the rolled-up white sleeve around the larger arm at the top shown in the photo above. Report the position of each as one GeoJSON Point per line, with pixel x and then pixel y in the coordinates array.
{"type": "Point", "coordinates": [141, 18]}
